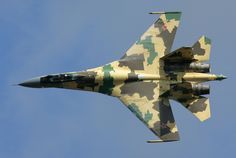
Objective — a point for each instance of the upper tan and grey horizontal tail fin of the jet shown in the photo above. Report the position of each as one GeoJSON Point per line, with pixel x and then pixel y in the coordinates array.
{"type": "Point", "coordinates": [201, 49]}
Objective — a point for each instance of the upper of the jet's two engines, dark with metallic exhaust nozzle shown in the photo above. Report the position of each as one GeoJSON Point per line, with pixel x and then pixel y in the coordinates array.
{"type": "Point", "coordinates": [187, 67]}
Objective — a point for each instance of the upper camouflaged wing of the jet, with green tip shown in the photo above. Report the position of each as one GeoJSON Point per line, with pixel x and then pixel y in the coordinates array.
{"type": "Point", "coordinates": [156, 41]}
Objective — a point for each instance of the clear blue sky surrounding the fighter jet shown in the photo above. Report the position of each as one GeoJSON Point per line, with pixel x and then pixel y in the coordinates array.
{"type": "Point", "coordinates": [50, 36]}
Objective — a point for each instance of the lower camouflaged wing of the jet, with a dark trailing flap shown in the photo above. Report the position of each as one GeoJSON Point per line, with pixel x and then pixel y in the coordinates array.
{"type": "Point", "coordinates": [142, 99]}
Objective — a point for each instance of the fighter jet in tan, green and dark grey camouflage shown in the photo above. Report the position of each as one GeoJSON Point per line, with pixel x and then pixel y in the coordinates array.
{"type": "Point", "coordinates": [148, 76]}
